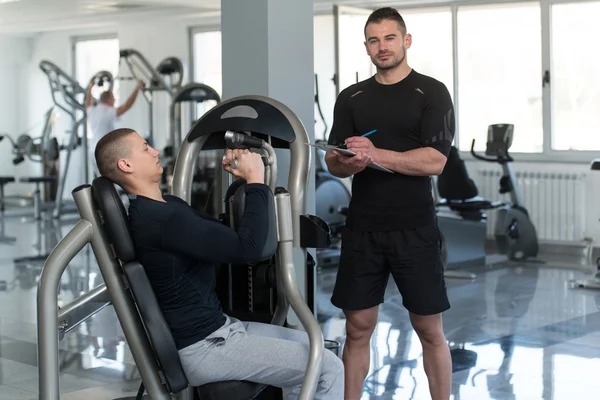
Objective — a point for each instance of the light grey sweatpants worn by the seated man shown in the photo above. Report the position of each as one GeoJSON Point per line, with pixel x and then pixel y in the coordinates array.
{"type": "Point", "coordinates": [262, 353]}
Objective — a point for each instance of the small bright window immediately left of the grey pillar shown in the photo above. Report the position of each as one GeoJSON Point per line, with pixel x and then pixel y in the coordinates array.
{"type": "Point", "coordinates": [207, 64]}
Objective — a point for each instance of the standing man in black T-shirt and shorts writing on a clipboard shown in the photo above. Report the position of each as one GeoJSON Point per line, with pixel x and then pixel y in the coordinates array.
{"type": "Point", "coordinates": [391, 225]}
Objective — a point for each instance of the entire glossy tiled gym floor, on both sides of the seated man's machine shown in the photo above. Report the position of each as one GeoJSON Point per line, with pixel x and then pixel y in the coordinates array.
{"type": "Point", "coordinates": [516, 332]}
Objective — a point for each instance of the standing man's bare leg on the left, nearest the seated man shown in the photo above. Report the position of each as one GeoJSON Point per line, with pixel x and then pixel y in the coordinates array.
{"type": "Point", "coordinates": [357, 353]}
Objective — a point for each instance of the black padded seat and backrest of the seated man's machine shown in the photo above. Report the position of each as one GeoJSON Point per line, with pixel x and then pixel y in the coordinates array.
{"type": "Point", "coordinates": [119, 236]}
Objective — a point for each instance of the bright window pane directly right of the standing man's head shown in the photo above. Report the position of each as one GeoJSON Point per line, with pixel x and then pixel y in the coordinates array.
{"type": "Point", "coordinates": [431, 49]}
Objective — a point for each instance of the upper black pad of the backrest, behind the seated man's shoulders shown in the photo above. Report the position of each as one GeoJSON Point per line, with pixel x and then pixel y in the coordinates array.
{"type": "Point", "coordinates": [115, 218]}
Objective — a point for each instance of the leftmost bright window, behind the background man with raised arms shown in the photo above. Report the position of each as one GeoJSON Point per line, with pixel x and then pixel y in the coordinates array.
{"type": "Point", "coordinates": [93, 56]}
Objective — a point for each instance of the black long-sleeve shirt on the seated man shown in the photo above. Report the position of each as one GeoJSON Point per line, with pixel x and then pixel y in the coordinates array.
{"type": "Point", "coordinates": [179, 248]}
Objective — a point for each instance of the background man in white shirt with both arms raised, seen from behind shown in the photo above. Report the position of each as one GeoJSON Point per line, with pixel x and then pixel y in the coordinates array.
{"type": "Point", "coordinates": [102, 117]}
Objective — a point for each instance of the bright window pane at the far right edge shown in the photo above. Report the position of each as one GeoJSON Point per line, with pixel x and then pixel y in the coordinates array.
{"type": "Point", "coordinates": [574, 79]}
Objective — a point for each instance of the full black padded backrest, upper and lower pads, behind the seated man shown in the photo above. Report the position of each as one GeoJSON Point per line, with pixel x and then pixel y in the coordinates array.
{"type": "Point", "coordinates": [116, 224]}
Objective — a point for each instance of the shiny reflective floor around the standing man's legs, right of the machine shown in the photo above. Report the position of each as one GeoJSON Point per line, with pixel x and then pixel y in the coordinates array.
{"type": "Point", "coordinates": [517, 332]}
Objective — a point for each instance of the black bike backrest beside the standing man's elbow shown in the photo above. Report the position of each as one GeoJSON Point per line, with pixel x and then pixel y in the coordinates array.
{"type": "Point", "coordinates": [454, 182]}
